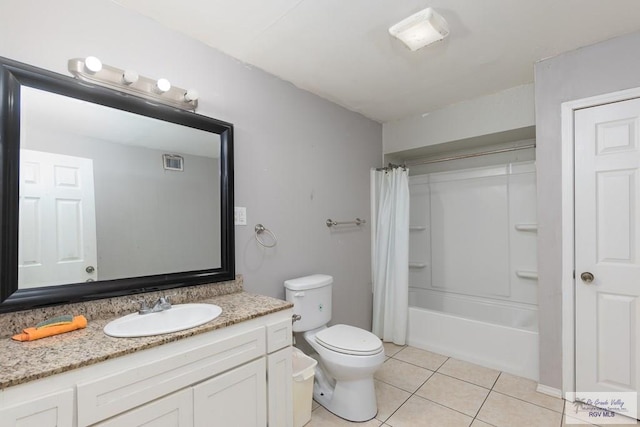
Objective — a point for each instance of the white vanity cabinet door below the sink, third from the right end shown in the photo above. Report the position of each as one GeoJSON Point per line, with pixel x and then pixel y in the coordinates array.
{"type": "Point", "coordinates": [175, 410]}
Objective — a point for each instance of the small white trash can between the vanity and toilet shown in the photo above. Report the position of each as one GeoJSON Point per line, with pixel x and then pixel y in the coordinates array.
{"type": "Point", "coordinates": [303, 373]}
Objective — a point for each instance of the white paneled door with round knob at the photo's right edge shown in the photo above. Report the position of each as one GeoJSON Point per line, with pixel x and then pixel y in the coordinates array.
{"type": "Point", "coordinates": [607, 245]}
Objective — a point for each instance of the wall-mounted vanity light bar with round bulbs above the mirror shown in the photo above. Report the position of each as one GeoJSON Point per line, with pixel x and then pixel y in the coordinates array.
{"type": "Point", "coordinates": [92, 70]}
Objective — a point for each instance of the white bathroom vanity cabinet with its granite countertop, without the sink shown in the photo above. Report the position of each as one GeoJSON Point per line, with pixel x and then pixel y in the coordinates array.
{"type": "Point", "coordinates": [233, 371]}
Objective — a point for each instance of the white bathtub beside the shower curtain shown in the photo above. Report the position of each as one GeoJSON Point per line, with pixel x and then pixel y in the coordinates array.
{"type": "Point", "coordinates": [494, 334]}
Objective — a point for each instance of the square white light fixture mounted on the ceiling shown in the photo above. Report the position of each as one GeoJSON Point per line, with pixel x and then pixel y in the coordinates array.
{"type": "Point", "coordinates": [421, 29]}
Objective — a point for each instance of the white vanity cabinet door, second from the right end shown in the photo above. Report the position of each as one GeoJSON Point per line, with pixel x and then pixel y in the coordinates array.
{"type": "Point", "coordinates": [237, 398]}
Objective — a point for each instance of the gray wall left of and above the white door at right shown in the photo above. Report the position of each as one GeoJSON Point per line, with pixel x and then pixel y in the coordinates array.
{"type": "Point", "coordinates": [602, 68]}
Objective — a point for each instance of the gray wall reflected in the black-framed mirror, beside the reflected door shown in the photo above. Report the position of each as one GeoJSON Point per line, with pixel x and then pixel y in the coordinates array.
{"type": "Point", "coordinates": [148, 220]}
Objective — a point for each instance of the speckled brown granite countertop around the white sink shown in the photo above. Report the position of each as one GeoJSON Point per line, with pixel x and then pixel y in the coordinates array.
{"type": "Point", "coordinates": [22, 362]}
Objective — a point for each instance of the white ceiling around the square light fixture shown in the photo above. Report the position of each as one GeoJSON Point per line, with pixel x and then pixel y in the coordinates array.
{"type": "Point", "coordinates": [341, 49]}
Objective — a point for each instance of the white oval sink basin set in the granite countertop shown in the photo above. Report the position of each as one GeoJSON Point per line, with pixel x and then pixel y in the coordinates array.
{"type": "Point", "coordinates": [178, 318]}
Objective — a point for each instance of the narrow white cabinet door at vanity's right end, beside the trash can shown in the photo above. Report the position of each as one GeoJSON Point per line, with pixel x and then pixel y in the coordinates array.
{"type": "Point", "coordinates": [279, 388]}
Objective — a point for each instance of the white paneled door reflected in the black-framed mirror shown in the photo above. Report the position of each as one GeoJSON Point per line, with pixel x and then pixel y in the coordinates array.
{"type": "Point", "coordinates": [57, 224]}
